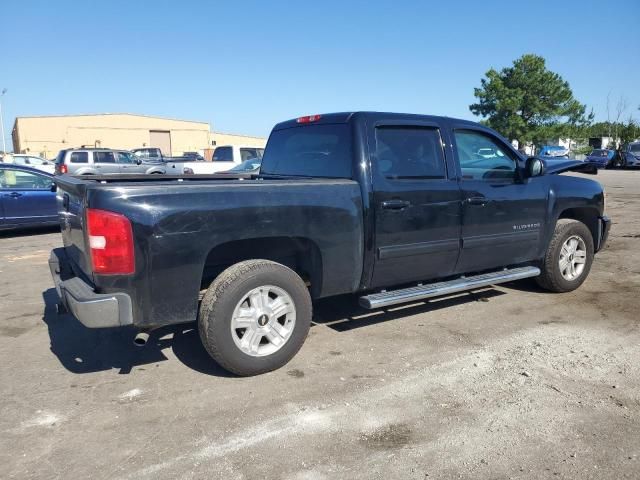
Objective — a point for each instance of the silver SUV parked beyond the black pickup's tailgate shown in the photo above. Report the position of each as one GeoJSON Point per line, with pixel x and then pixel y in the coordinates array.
{"type": "Point", "coordinates": [102, 161]}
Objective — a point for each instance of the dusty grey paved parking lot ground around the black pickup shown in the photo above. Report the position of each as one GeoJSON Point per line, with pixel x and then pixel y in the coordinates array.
{"type": "Point", "coordinates": [504, 382]}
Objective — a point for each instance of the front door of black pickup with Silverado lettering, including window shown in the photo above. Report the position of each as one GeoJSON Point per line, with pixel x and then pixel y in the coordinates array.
{"type": "Point", "coordinates": [502, 215]}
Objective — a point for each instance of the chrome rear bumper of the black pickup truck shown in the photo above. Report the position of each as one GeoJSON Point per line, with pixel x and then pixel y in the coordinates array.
{"type": "Point", "coordinates": [93, 310]}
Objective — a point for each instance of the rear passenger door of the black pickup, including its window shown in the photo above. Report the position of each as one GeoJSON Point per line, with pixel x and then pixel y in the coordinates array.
{"type": "Point", "coordinates": [417, 205]}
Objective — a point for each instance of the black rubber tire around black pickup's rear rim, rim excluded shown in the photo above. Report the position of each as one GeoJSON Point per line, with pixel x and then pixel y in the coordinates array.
{"type": "Point", "coordinates": [221, 299]}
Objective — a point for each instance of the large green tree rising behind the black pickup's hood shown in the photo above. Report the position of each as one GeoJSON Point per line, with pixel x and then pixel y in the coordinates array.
{"type": "Point", "coordinates": [528, 103]}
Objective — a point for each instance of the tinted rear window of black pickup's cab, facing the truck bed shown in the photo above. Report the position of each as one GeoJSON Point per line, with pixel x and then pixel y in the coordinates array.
{"type": "Point", "coordinates": [309, 151]}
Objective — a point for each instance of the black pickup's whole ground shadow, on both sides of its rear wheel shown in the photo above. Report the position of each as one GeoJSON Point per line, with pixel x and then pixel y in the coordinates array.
{"type": "Point", "coordinates": [84, 350]}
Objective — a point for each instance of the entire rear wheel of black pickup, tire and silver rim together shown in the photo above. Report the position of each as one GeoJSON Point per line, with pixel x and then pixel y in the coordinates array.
{"type": "Point", "coordinates": [226, 303]}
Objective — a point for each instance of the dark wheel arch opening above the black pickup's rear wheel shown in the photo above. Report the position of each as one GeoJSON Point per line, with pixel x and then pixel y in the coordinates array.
{"type": "Point", "coordinates": [300, 254]}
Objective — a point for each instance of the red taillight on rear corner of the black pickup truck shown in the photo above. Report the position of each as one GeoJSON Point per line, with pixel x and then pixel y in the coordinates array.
{"type": "Point", "coordinates": [110, 242]}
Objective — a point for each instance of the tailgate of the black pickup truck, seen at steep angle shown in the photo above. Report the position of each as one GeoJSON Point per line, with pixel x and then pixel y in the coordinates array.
{"type": "Point", "coordinates": [71, 200]}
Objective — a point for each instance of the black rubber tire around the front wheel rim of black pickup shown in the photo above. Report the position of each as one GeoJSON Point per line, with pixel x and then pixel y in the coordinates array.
{"type": "Point", "coordinates": [551, 277]}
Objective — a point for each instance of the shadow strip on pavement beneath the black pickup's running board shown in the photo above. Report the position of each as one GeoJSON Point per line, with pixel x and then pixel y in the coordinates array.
{"type": "Point", "coordinates": [343, 313]}
